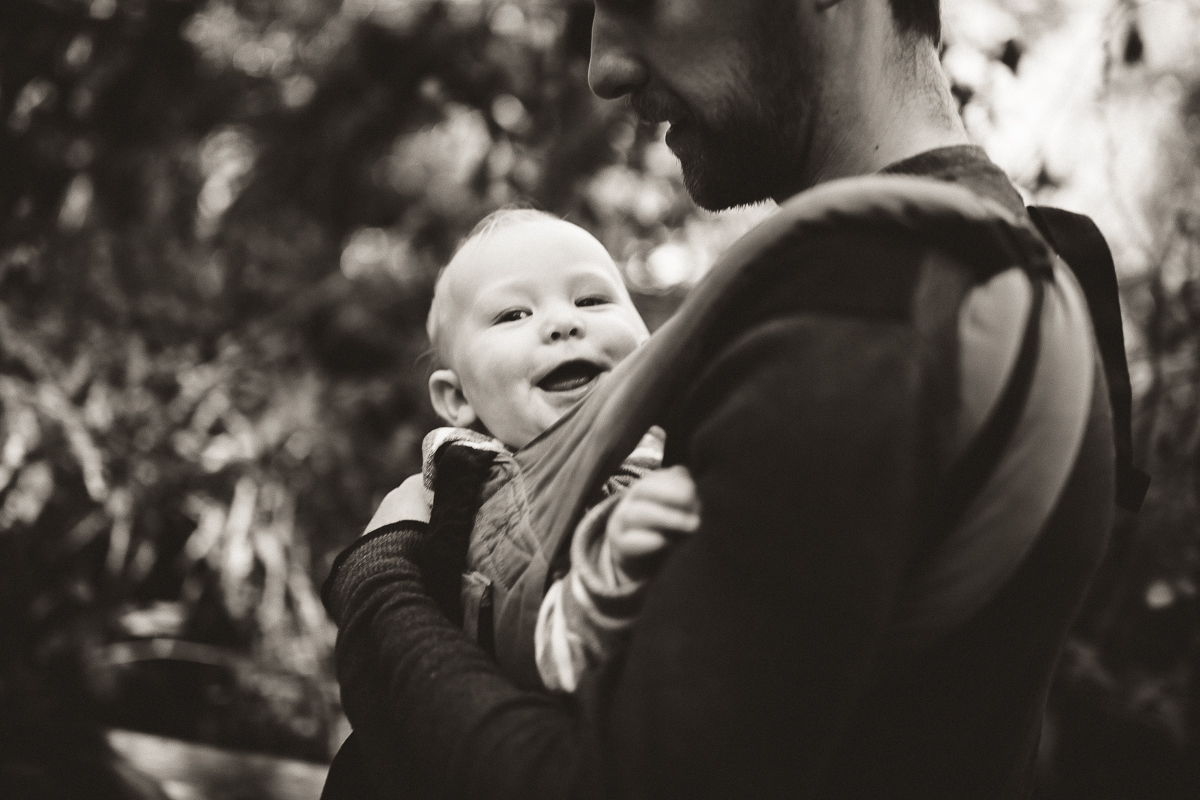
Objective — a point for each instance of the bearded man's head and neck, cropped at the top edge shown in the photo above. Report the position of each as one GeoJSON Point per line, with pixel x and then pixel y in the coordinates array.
{"type": "Point", "coordinates": [767, 99]}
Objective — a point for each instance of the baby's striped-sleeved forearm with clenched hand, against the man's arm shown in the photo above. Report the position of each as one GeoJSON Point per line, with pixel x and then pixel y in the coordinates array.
{"type": "Point", "coordinates": [616, 552]}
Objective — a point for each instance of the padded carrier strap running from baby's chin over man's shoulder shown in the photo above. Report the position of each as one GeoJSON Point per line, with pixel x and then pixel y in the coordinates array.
{"type": "Point", "coordinates": [773, 270]}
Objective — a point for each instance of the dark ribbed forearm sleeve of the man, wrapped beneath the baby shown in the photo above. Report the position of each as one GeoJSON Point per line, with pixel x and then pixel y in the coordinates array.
{"type": "Point", "coordinates": [429, 707]}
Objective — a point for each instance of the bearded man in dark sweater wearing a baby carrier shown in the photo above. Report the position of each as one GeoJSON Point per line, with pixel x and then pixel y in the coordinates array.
{"type": "Point", "coordinates": [892, 408]}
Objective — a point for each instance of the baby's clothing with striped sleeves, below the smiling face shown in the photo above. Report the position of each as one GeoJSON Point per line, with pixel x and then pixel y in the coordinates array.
{"type": "Point", "coordinates": [585, 615]}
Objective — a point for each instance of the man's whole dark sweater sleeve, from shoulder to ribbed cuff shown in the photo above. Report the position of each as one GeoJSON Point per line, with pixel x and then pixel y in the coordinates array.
{"type": "Point", "coordinates": [759, 634]}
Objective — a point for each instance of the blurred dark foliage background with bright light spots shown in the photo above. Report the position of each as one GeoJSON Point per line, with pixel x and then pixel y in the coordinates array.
{"type": "Point", "coordinates": [220, 224]}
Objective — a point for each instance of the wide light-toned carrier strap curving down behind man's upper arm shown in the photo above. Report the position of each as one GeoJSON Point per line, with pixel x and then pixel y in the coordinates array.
{"type": "Point", "coordinates": [1001, 492]}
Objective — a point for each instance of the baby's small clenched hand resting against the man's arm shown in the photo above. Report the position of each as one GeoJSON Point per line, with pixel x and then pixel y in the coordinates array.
{"type": "Point", "coordinates": [656, 510]}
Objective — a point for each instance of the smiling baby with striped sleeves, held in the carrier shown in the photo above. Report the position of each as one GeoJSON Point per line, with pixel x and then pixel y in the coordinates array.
{"type": "Point", "coordinates": [526, 317]}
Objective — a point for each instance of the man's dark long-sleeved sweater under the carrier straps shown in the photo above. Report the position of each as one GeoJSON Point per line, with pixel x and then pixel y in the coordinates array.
{"type": "Point", "coordinates": [761, 666]}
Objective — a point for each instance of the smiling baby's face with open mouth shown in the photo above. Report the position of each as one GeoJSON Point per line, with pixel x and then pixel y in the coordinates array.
{"type": "Point", "coordinates": [537, 314]}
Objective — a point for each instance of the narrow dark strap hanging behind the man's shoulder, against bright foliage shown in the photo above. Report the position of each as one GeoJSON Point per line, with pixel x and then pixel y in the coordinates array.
{"type": "Point", "coordinates": [1082, 245]}
